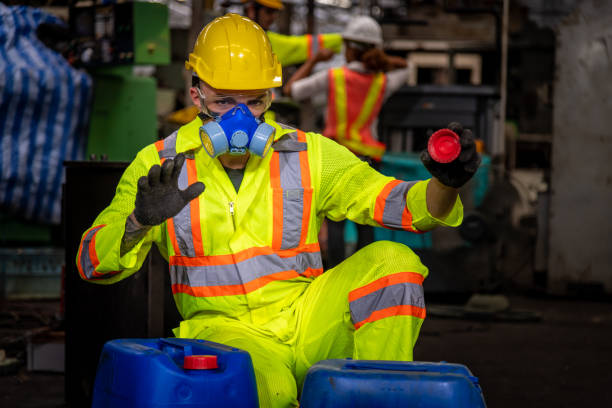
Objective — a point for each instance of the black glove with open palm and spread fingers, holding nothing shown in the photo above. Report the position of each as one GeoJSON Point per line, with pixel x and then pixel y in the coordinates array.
{"type": "Point", "coordinates": [158, 197]}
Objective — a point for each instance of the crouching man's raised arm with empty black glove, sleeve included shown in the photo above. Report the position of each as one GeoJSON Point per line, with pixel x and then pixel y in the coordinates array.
{"type": "Point", "coordinates": [118, 242]}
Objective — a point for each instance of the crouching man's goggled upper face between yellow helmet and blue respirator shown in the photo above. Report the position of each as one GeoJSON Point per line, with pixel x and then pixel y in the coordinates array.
{"type": "Point", "coordinates": [219, 101]}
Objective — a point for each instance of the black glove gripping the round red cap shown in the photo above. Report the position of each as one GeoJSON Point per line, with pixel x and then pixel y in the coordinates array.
{"type": "Point", "coordinates": [459, 171]}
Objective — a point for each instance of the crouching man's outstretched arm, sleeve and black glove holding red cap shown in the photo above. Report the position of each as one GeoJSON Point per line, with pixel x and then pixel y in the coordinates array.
{"type": "Point", "coordinates": [351, 189]}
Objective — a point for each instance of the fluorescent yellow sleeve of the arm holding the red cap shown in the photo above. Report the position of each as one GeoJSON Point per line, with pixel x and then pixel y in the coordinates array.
{"type": "Point", "coordinates": [350, 188]}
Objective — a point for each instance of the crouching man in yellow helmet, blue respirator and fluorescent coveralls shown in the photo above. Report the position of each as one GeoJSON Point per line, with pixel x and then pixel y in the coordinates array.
{"type": "Point", "coordinates": [235, 205]}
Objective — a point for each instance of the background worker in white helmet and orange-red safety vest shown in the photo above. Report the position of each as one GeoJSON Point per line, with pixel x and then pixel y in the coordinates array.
{"type": "Point", "coordinates": [355, 93]}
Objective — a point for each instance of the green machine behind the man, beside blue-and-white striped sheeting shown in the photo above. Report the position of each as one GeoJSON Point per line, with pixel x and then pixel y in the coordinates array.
{"type": "Point", "coordinates": [114, 41]}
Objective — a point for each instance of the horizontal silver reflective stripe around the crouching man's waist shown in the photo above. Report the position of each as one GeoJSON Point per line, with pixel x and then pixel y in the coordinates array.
{"type": "Point", "coordinates": [244, 271]}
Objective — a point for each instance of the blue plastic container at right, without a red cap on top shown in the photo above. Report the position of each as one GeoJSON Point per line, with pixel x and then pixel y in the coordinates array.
{"type": "Point", "coordinates": [382, 384]}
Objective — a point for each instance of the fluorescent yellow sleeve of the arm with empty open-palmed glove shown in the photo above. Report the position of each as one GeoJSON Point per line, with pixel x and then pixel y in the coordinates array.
{"type": "Point", "coordinates": [98, 257]}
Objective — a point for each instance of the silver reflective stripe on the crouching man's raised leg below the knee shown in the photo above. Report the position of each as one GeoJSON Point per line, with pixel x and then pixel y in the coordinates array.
{"type": "Point", "coordinates": [395, 295]}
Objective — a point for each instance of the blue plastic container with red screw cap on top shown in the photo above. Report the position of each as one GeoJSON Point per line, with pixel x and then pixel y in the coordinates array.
{"type": "Point", "coordinates": [155, 373]}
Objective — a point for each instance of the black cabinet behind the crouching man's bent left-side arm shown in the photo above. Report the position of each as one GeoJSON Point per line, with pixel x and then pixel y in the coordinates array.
{"type": "Point", "coordinates": [140, 306]}
